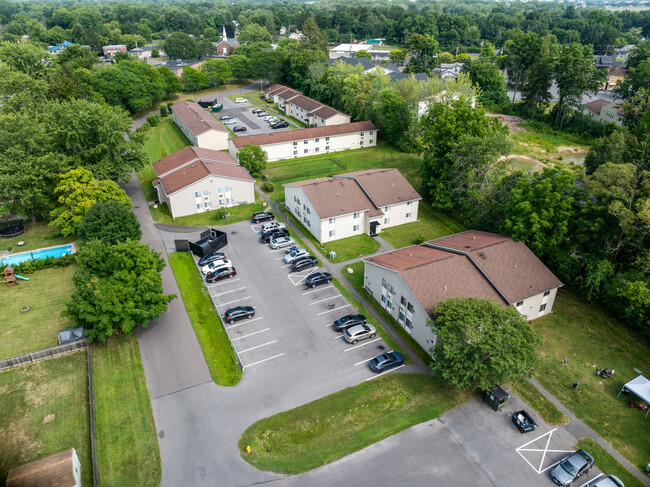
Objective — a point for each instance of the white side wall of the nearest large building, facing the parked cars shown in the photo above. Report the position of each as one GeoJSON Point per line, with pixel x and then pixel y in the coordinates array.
{"type": "Point", "coordinates": [373, 282]}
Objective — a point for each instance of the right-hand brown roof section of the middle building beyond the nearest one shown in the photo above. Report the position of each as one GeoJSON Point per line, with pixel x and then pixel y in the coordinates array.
{"type": "Point", "coordinates": [384, 186]}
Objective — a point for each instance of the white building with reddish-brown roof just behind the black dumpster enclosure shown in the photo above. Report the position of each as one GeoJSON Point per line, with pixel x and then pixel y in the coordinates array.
{"type": "Point", "coordinates": [195, 180]}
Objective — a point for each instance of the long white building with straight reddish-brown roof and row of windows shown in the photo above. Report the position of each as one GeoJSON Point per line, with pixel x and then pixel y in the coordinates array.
{"type": "Point", "coordinates": [290, 144]}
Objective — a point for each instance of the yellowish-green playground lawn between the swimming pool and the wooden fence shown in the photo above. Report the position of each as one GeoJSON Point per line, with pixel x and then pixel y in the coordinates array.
{"type": "Point", "coordinates": [46, 293]}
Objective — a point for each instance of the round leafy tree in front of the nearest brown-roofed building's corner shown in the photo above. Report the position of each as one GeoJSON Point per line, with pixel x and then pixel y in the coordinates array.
{"type": "Point", "coordinates": [480, 343]}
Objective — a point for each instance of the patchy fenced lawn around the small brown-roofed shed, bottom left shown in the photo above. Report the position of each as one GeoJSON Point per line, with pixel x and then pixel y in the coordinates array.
{"type": "Point", "coordinates": [45, 411]}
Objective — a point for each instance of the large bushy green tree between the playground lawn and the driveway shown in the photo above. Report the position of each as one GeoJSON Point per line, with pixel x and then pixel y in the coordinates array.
{"type": "Point", "coordinates": [118, 288]}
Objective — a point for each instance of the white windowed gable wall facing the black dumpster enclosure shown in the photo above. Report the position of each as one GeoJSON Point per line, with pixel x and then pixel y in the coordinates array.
{"type": "Point", "coordinates": [184, 202]}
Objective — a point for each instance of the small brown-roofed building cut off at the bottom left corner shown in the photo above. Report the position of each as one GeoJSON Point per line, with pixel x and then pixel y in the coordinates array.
{"type": "Point", "coordinates": [59, 470]}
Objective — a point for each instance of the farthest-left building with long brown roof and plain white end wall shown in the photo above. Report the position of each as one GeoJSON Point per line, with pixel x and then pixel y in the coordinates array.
{"type": "Point", "coordinates": [199, 126]}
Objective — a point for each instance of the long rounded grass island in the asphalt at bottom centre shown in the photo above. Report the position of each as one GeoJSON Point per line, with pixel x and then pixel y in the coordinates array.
{"type": "Point", "coordinates": [332, 427]}
